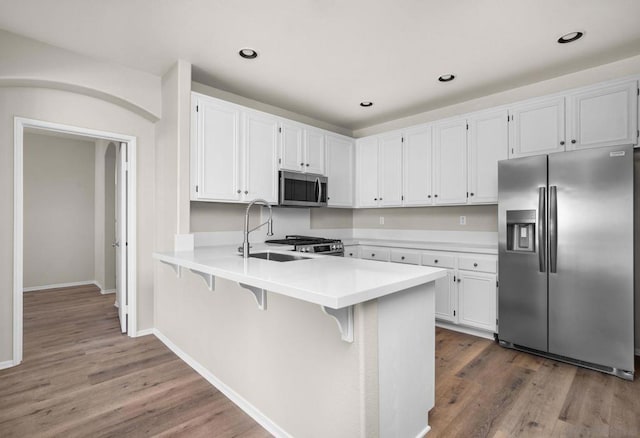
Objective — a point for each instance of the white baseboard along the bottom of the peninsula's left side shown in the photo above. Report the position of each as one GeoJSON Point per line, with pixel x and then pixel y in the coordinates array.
{"type": "Point", "coordinates": [236, 398]}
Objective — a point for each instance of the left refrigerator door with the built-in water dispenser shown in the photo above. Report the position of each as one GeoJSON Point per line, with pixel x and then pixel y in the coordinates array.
{"type": "Point", "coordinates": [522, 294]}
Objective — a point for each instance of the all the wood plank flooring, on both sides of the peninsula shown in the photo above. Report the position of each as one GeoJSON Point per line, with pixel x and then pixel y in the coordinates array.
{"type": "Point", "coordinates": [80, 377]}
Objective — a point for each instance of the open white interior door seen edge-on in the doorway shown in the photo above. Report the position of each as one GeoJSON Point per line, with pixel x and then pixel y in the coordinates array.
{"type": "Point", "coordinates": [121, 235]}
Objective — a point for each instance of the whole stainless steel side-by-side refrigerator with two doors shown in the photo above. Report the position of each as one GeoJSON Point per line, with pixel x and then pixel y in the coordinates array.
{"type": "Point", "coordinates": [566, 257]}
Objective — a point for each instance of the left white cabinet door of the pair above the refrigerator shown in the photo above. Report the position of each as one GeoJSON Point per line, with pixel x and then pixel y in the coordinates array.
{"type": "Point", "coordinates": [537, 128]}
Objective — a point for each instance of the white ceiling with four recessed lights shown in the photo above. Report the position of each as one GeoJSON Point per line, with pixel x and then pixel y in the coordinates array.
{"type": "Point", "coordinates": [321, 58]}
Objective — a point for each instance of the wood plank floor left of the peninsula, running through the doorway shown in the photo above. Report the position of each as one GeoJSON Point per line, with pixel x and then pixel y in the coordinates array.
{"type": "Point", "coordinates": [81, 377]}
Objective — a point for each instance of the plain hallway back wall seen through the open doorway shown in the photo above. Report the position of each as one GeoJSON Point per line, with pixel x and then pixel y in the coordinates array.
{"type": "Point", "coordinates": [58, 210]}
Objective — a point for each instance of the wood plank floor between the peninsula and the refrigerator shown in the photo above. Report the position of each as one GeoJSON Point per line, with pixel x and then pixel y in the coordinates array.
{"type": "Point", "coordinates": [484, 390]}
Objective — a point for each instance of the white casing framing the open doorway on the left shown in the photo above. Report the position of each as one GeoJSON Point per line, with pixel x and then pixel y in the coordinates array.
{"type": "Point", "coordinates": [20, 124]}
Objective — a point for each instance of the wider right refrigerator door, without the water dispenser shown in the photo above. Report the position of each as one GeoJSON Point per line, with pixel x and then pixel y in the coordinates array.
{"type": "Point", "coordinates": [591, 256]}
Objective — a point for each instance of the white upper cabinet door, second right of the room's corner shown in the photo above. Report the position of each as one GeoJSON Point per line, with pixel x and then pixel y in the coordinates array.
{"type": "Point", "coordinates": [390, 170]}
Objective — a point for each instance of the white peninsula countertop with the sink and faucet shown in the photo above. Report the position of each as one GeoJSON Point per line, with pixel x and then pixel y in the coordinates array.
{"type": "Point", "coordinates": [334, 282]}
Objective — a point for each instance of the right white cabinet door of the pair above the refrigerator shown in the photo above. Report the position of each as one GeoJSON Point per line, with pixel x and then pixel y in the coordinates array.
{"type": "Point", "coordinates": [606, 116]}
